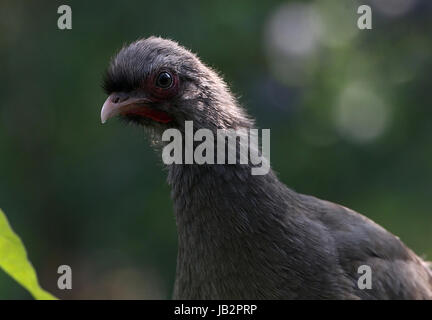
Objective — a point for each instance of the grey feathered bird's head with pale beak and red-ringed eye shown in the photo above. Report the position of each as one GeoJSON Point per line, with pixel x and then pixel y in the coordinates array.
{"type": "Point", "coordinates": [159, 84]}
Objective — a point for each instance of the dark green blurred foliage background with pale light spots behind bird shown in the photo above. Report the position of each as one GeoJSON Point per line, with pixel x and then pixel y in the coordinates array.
{"type": "Point", "coordinates": [349, 109]}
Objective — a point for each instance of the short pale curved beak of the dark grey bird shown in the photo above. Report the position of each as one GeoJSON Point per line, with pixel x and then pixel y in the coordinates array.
{"type": "Point", "coordinates": [120, 103]}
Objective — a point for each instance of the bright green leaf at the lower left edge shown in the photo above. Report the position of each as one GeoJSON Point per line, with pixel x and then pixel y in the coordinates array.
{"type": "Point", "coordinates": [13, 260]}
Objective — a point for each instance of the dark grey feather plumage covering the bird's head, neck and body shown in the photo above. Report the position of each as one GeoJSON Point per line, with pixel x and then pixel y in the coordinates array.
{"type": "Point", "coordinates": [250, 237]}
